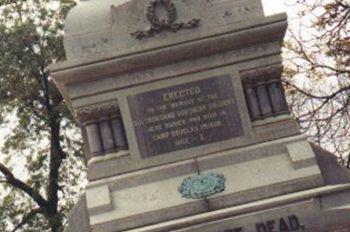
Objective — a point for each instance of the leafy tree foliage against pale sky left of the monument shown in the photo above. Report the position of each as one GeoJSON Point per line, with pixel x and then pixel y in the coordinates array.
{"type": "Point", "coordinates": [44, 132]}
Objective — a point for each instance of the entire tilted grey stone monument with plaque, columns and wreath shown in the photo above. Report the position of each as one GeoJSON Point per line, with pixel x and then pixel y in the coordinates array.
{"type": "Point", "coordinates": [186, 125]}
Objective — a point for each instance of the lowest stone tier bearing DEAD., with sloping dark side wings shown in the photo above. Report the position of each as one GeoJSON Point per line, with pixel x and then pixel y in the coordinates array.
{"type": "Point", "coordinates": [324, 208]}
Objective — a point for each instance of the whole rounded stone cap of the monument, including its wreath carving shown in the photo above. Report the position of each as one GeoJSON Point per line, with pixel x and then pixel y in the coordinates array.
{"type": "Point", "coordinates": [97, 29]}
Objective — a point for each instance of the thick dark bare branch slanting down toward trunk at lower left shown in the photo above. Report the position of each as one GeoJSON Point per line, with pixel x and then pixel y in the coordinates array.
{"type": "Point", "coordinates": [12, 180]}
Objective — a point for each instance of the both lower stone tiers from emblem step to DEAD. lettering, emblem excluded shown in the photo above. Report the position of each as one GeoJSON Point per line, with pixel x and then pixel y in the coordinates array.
{"type": "Point", "coordinates": [309, 193]}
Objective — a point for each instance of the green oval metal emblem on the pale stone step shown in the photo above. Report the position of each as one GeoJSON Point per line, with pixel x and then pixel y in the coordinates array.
{"type": "Point", "coordinates": [202, 186]}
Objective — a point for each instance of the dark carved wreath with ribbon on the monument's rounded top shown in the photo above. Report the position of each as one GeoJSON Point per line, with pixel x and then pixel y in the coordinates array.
{"type": "Point", "coordinates": [158, 25]}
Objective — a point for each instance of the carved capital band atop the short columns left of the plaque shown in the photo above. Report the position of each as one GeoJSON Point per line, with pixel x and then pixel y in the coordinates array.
{"type": "Point", "coordinates": [98, 111]}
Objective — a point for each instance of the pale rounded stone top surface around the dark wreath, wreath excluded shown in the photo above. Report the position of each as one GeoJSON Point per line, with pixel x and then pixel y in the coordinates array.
{"type": "Point", "coordinates": [106, 25]}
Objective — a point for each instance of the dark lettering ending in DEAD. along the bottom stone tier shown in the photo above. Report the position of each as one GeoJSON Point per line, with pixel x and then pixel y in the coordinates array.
{"type": "Point", "coordinates": [288, 224]}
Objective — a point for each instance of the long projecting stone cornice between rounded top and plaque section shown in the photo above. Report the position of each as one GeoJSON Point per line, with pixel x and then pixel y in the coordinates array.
{"type": "Point", "coordinates": [69, 73]}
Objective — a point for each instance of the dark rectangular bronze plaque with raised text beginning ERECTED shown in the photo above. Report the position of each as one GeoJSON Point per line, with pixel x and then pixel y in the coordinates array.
{"type": "Point", "coordinates": [185, 116]}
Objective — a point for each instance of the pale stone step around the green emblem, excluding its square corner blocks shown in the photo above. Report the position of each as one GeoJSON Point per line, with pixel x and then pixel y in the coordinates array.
{"type": "Point", "coordinates": [261, 183]}
